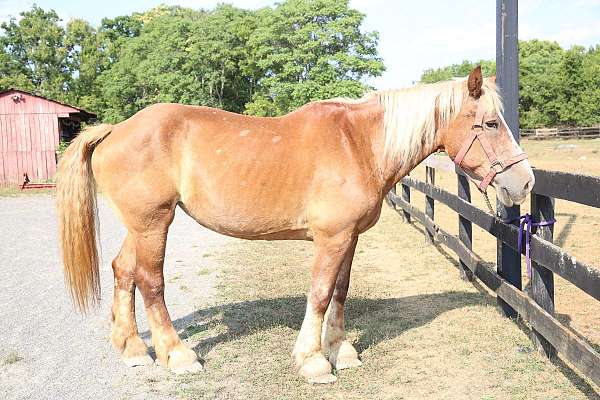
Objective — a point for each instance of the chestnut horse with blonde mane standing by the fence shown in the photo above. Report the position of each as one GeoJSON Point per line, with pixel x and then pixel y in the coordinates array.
{"type": "Point", "coordinates": [319, 173]}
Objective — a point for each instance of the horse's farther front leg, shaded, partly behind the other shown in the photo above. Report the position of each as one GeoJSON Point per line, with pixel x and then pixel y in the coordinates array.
{"type": "Point", "coordinates": [340, 352]}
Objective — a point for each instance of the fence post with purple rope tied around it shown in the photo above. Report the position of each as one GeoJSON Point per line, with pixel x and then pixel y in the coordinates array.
{"type": "Point", "coordinates": [542, 279]}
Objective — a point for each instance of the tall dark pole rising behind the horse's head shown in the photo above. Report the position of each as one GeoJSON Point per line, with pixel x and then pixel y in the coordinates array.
{"type": "Point", "coordinates": [507, 75]}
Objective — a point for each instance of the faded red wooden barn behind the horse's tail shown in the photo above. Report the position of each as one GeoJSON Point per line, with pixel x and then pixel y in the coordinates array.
{"type": "Point", "coordinates": [30, 129]}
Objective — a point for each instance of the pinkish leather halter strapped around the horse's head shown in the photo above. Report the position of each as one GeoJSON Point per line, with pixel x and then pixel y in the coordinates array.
{"type": "Point", "coordinates": [496, 165]}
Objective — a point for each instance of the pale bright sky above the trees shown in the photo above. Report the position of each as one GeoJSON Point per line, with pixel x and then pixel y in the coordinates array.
{"type": "Point", "coordinates": [414, 35]}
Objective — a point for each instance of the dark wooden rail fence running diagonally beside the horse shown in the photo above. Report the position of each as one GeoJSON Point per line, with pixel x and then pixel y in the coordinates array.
{"type": "Point", "coordinates": [550, 335]}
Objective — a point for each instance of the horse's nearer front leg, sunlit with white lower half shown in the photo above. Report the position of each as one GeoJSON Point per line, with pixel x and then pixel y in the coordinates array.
{"type": "Point", "coordinates": [330, 251]}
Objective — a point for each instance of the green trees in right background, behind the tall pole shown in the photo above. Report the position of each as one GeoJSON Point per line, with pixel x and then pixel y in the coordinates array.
{"type": "Point", "coordinates": [557, 87]}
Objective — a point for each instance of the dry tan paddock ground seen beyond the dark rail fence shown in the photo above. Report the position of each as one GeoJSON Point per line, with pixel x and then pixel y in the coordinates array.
{"type": "Point", "coordinates": [577, 228]}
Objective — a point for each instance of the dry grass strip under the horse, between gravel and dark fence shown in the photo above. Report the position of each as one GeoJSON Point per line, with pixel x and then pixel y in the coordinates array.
{"type": "Point", "coordinates": [420, 331]}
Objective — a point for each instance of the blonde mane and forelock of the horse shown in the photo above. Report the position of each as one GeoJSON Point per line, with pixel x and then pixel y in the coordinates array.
{"type": "Point", "coordinates": [410, 114]}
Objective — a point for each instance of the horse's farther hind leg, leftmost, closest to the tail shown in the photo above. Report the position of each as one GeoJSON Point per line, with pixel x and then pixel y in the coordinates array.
{"type": "Point", "coordinates": [124, 335]}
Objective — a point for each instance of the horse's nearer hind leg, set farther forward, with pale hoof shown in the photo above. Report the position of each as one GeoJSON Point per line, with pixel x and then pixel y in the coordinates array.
{"type": "Point", "coordinates": [150, 254]}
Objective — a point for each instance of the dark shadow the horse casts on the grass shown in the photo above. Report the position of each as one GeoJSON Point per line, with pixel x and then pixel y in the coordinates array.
{"type": "Point", "coordinates": [374, 319]}
